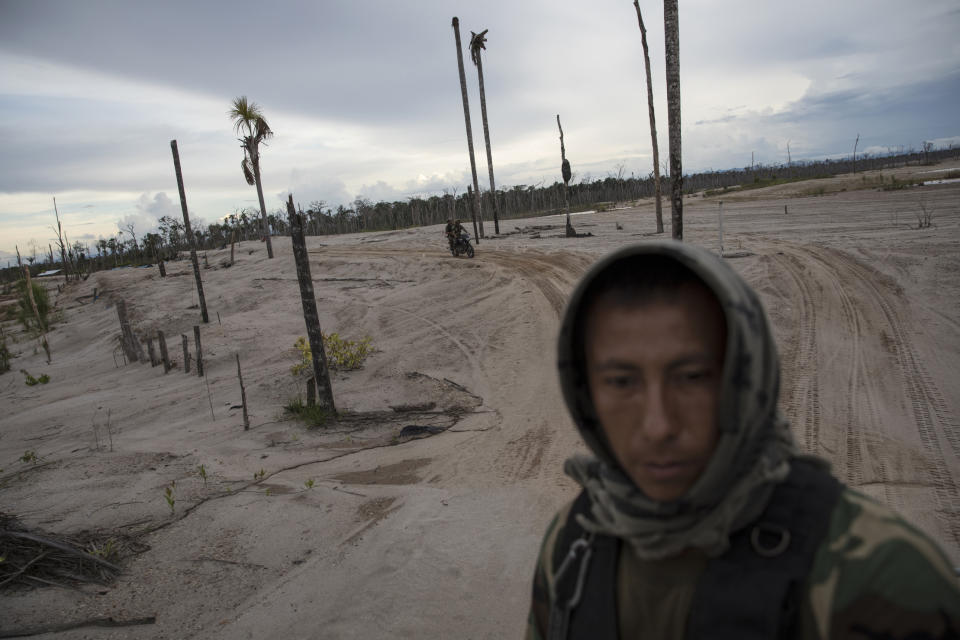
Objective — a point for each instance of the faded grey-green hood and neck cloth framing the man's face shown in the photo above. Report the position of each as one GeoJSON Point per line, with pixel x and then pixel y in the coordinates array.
{"type": "Point", "coordinates": [754, 445]}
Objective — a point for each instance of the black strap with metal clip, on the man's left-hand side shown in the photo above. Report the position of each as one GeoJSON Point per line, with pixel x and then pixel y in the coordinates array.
{"type": "Point", "coordinates": [584, 598]}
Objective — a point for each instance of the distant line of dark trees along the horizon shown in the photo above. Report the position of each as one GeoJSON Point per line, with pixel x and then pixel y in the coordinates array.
{"type": "Point", "coordinates": [520, 201]}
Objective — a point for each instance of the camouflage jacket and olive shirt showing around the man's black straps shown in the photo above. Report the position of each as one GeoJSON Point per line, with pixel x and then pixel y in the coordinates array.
{"type": "Point", "coordinates": [874, 576]}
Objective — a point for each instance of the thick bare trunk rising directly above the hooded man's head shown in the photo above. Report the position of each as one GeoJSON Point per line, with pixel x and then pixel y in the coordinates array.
{"type": "Point", "coordinates": [671, 25]}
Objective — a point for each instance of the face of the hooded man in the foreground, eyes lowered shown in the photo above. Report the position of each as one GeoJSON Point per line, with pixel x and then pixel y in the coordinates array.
{"type": "Point", "coordinates": [654, 375]}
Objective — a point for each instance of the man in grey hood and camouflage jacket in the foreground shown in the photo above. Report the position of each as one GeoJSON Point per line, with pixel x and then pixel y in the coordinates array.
{"type": "Point", "coordinates": [698, 517]}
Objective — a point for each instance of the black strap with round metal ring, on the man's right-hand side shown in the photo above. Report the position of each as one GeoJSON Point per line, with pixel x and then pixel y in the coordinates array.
{"type": "Point", "coordinates": [753, 591]}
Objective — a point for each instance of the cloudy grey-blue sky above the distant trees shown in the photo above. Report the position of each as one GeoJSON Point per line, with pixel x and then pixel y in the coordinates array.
{"type": "Point", "coordinates": [364, 97]}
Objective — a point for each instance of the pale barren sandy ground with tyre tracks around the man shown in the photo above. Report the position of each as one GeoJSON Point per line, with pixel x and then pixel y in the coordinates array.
{"type": "Point", "coordinates": [436, 536]}
